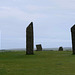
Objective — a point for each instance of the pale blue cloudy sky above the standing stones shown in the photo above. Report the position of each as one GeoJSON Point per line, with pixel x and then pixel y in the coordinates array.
{"type": "Point", "coordinates": [52, 20]}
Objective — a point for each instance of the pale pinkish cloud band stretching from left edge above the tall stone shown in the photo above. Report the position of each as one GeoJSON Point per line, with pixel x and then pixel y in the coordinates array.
{"type": "Point", "coordinates": [6, 12]}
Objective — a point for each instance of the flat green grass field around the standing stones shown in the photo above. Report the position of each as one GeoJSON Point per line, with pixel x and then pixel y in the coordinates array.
{"type": "Point", "coordinates": [41, 63]}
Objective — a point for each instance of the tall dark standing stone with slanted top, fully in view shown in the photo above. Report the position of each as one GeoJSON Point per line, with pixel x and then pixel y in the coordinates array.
{"type": "Point", "coordinates": [29, 39]}
